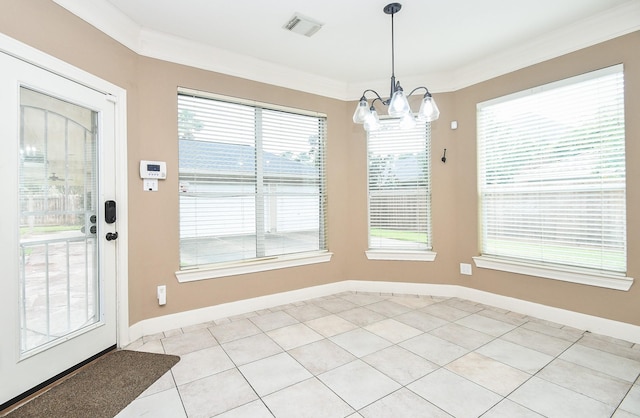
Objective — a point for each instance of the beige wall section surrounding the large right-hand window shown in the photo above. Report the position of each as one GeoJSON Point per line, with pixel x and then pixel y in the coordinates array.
{"type": "Point", "coordinates": [623, 306]}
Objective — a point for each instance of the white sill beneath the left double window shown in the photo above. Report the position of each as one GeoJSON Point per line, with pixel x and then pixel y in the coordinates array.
{"type": "Point", "coordinates": [214, 271]}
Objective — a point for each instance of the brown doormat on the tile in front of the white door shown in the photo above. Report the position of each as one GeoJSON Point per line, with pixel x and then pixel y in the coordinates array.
{"type": "Point", "coordinates": [102, 388]}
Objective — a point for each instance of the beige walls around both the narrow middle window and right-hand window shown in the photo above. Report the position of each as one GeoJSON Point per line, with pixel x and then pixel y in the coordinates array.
{"type": "Point", "coordinates": [454, 202]}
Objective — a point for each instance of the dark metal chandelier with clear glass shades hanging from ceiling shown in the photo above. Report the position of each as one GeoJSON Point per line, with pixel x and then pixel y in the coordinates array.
{"type": "Point", "coordinates": [397, 103]}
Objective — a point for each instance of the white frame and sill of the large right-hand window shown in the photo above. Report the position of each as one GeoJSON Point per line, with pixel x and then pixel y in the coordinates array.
{"type": "Point", "coordinates": [573, 274]}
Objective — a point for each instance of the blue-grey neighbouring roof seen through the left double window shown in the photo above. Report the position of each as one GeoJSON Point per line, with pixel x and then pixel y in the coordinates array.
{"type": "Point", "coordinates": [215, 157]}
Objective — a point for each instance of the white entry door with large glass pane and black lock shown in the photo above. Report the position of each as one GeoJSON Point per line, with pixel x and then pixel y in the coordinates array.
{"type": "Point", "coordinates": [58, 284]}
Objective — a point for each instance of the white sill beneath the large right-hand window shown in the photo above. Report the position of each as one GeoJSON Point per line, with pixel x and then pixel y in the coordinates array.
{"type": "Point", "coordinates": [567, 274]}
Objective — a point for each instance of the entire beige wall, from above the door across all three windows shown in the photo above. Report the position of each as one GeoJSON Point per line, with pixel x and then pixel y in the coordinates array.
{"type": "Point", "coordinates": [153, 239]}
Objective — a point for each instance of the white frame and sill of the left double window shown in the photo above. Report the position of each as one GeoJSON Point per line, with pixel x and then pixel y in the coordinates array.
{"type": "Point", "coordinates": [254, 265]}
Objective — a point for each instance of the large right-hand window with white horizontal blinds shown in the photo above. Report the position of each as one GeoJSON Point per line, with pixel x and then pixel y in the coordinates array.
{"type": "Point", "coordinates": [552, 175]}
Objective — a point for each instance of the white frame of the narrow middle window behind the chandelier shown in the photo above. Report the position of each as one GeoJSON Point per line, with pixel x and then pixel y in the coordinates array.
{"type": "Point", "coordinates": [390, 127]}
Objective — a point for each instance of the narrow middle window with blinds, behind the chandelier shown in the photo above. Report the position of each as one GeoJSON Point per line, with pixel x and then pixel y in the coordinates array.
{"type": "Point", "coordinates": [399, 189]}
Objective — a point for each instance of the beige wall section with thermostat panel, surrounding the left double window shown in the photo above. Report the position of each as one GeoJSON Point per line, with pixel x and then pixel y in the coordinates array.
{"type": "Point", "coordinates": [154, 259]}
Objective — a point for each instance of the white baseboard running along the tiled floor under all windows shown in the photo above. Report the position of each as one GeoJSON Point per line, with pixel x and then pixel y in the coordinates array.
{"type": "Point", "coordinates": [577, 320]}
